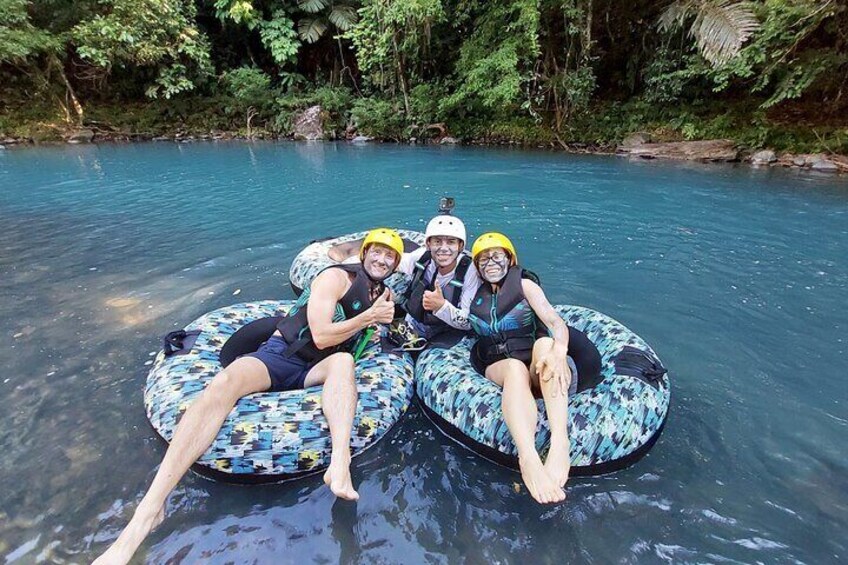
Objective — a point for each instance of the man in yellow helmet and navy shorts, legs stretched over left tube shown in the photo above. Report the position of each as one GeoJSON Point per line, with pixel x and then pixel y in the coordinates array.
{"type": "Point", "coordinates": [311, 346]}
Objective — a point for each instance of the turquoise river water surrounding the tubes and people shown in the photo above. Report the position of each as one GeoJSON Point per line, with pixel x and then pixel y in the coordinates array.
{"type": "Point", "coordinates": [737, 277]}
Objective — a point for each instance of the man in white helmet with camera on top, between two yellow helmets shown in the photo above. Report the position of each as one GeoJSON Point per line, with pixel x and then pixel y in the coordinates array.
{"type": "Point", "coordinates": [443, 281]}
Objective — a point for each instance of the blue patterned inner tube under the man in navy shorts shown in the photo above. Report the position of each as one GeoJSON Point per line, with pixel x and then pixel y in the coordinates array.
{"type": "Point", "coordinates": [274, 436]}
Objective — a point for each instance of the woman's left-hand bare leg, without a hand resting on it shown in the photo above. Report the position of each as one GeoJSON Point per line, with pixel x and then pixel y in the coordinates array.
{"type": "Point", "coordinates": [520, 414]}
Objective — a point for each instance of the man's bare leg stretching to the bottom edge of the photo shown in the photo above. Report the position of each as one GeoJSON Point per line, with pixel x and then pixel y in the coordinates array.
{"type": "Point", "coordinates": [194, 434]}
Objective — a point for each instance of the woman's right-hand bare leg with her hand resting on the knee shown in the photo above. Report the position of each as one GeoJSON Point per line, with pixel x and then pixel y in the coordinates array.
{"type": "Point", "coordinates": [558, 463]}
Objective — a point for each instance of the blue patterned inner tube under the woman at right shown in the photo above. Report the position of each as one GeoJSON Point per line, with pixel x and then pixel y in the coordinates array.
{"type": "Point", "coordinates": [611, 425]}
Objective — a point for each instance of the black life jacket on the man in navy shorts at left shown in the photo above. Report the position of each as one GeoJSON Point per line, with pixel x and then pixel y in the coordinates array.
{"type": "Point", "coordinates": [294, 327]}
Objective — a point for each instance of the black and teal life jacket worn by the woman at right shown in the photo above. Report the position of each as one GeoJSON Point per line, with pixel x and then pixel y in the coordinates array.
{"type": "Point", "coordinates": [504, 321]}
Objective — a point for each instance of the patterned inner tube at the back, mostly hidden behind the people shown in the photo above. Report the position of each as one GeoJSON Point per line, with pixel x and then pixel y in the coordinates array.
{"type": "Point", "coordinates": [323, 253]}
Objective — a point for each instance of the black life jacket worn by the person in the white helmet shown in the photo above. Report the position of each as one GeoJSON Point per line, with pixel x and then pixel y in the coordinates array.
{"type": "Point", "coordinates": [441, 334]}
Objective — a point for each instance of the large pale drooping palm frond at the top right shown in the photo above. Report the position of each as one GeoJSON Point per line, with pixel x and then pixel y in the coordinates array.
{"type": "Point", "coordinates": [721, 27]}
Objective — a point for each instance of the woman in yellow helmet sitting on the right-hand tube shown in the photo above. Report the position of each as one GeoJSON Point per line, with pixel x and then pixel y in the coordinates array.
{"type": "Point", "coordinates": [513, 320]}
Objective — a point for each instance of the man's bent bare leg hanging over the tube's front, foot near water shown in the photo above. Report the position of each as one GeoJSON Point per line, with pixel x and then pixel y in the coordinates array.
{"type": "Point", "coordinates": [338, 400]}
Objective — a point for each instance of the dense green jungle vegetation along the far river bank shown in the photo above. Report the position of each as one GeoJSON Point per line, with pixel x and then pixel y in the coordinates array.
{"type": "Point", "coordinates": [765, 73]}
